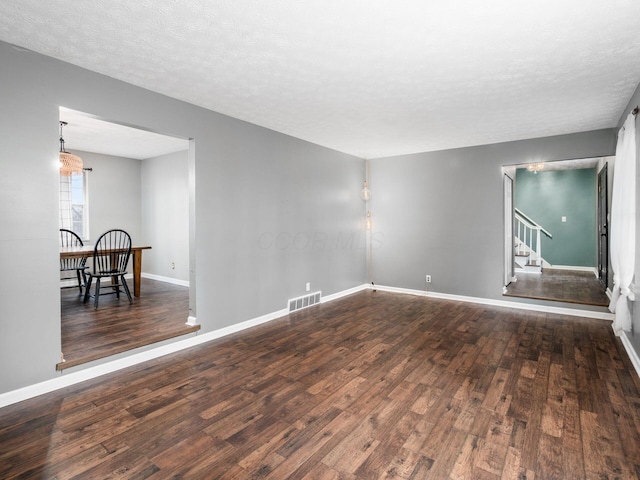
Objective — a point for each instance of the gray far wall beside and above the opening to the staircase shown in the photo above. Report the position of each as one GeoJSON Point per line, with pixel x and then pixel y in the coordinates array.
{"type": "Point", "coordinates": [441, 213]}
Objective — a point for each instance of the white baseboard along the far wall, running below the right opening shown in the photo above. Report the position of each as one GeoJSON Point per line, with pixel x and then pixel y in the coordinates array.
{"type": "Point", "coordinates": [503, 303]}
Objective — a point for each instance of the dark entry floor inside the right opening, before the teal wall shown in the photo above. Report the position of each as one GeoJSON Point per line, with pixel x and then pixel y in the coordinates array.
{"type": "Point", "coordinates": [560, 285]}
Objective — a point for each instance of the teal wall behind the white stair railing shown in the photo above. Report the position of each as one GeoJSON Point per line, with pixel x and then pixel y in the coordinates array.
{"type": "Point", "coordinates": [548, 196]}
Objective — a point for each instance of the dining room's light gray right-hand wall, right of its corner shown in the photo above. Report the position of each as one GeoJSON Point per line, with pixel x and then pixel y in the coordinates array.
{"type": "Point", "coordinates": [165, 215]}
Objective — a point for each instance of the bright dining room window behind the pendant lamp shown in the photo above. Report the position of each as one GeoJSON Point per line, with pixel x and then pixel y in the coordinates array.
{"type": "Point", "coordinates": [74, 214]}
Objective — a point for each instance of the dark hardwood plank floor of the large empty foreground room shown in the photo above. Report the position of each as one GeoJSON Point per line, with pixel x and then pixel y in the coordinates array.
{"type": "Point", "coordinates": [374, 385]}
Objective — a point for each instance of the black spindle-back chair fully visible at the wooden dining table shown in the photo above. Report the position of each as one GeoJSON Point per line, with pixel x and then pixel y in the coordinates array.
{"type": "Point", "coordinates": [110, 258]}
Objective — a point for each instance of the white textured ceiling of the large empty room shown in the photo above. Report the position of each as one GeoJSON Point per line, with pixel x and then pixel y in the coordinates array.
{"type": "Point", "coordinates": [371, 78]}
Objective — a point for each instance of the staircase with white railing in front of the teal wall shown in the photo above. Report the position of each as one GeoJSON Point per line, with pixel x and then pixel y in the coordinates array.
{"type": "Point", "coordinates": [528, 245]}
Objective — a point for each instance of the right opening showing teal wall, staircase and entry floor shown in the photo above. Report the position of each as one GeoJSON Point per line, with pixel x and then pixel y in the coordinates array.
{"type": "Point", "coordinates": [558, 223]}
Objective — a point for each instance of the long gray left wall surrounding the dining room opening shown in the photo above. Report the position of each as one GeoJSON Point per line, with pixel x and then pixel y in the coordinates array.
{"type": "Point", "coordinates": [249, 181]}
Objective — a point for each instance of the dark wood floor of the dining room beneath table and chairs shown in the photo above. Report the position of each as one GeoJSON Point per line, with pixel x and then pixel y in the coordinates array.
{"type": "Point", "coordinates": [116, 326]}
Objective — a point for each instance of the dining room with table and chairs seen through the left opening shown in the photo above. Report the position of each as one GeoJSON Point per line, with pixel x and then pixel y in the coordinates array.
{"type": "Point", "coordinates": [124, 239]}
